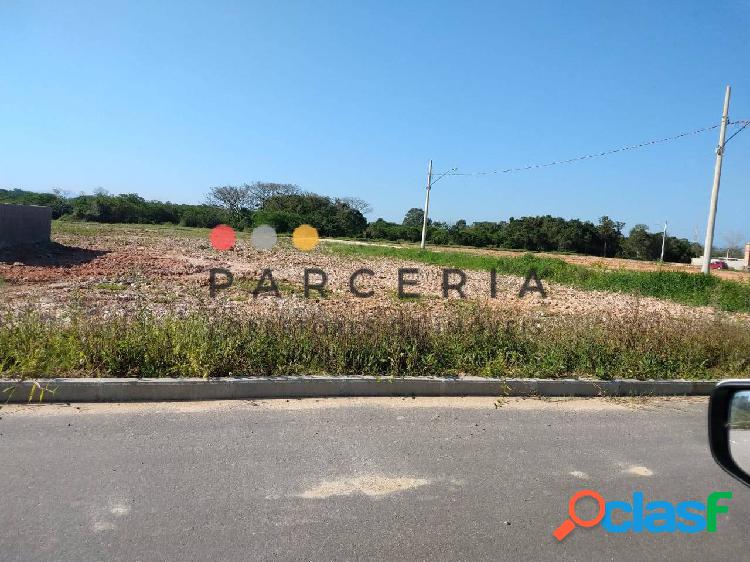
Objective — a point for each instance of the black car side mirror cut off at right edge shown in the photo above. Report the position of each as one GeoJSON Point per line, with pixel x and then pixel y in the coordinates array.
{"type": "Point", "coordinates": [729, 427]}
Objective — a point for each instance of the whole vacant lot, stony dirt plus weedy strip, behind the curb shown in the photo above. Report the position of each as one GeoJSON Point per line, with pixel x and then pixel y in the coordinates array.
{"type": "Point", "coordinates": [134, 301]}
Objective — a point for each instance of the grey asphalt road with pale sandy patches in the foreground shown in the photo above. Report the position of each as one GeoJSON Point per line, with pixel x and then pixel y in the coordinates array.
{"type": "Point", "coordinates": [380, 479]}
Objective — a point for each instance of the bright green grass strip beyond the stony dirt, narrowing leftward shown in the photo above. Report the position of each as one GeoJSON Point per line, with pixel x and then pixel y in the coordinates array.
{"type": "Point", "coordinates": [682, 287]}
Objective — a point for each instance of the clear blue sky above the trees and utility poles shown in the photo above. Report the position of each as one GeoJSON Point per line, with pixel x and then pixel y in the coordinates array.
{"type": "Point", "coordinates": [166, 99]}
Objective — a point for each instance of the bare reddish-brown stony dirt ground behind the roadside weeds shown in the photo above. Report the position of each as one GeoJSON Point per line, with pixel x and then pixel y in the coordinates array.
{"type": "Point", "coordinates": [111, 269]}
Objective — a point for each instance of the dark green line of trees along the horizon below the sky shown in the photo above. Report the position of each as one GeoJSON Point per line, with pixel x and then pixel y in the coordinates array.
{"type": "Point", "coordinates": [286, 206]}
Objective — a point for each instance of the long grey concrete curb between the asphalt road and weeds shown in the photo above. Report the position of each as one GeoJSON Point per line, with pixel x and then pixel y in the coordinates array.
{"type": "Point", "coordinates": [228, 388]}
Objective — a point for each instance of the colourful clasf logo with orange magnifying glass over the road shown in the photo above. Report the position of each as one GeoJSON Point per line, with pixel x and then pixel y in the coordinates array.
{"type": "Point", "coordinates": [637, 516]}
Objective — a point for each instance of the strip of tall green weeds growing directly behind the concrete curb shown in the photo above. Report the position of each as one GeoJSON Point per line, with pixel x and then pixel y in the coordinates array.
{"type": "Point", "coordinates": [473, 342]}
